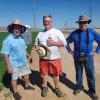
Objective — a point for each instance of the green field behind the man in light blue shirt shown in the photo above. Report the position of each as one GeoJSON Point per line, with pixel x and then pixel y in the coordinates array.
{"type": "Point", "coordinates": [2, 63]}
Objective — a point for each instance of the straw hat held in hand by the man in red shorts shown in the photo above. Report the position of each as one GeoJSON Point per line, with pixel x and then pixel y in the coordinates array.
{"type": "Point", "coordinates": [44, 52]}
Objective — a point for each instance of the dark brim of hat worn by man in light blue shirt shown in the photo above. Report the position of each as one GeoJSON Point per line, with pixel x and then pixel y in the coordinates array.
{"type": "Point", "coordinates": [10, 28]}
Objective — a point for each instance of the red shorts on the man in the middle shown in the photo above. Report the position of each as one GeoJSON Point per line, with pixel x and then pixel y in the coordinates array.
{"type": "Point", "coordinates": [50, 66]}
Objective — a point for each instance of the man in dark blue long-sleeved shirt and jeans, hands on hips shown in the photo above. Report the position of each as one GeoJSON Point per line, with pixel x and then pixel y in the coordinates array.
{"type": "Point", "coordinates": [83, 54]}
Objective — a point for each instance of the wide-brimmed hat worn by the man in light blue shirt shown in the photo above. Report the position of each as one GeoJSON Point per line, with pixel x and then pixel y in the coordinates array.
{"type": "Point", "coordinates": [15, 23]}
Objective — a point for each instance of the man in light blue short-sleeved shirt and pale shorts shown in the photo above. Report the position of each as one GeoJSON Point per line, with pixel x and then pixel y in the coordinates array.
{"type": "Point", "coordinates": [14, 51]}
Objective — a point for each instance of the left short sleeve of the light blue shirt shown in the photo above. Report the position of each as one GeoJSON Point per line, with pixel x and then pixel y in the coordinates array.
{"type": "Point", "coordinates": [5, 47]}
